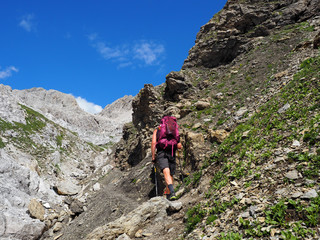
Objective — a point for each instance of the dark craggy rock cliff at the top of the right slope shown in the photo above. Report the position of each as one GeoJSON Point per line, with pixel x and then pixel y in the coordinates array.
{"type": "Point", "coordinates": [229, 33]}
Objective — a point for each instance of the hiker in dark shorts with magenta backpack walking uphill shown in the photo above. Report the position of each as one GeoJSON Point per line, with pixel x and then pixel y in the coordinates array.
{"type": "Point", "coordinates": [166, 140]}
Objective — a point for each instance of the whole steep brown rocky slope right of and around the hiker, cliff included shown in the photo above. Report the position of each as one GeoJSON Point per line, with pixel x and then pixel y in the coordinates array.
{"type": "Point", "coordinates": [247, 100]}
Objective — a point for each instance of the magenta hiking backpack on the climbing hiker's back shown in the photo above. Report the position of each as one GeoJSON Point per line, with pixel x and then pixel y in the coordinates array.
{"type": "Point", "coordinates": [168, 134]}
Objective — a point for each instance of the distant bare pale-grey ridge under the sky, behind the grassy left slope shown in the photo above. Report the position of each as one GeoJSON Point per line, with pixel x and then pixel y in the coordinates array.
{"type": "Point", "coordinates": [63, 109]}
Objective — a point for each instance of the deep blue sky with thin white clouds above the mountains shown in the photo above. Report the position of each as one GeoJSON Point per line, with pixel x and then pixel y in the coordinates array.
{"type": "Point", "coordinates": [97, 50]}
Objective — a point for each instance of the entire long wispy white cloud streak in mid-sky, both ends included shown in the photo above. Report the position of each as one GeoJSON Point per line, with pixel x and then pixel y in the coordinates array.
{"type": "Point", "coordinates": [143, 53]}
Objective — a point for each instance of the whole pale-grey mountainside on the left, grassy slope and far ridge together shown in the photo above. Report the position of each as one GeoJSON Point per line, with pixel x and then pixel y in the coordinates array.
{"type": "Point", "coordinates": [47, 155]}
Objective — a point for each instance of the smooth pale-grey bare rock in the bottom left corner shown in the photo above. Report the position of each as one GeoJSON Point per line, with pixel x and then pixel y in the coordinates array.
{"type": "Point", "coordinates": [18, 185]}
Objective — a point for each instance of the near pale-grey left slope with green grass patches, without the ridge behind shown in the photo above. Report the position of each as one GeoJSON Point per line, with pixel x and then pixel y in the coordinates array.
{"type": "Point", "coordinates": [42, 165]}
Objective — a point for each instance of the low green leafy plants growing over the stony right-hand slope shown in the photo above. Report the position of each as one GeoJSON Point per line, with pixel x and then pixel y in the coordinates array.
{"type": "Point", "coordinates": [292, 114]}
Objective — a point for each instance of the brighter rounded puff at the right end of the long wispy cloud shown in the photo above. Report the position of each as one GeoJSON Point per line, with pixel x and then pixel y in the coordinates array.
{"type": "Point", "coordinates": [149, 53]}
